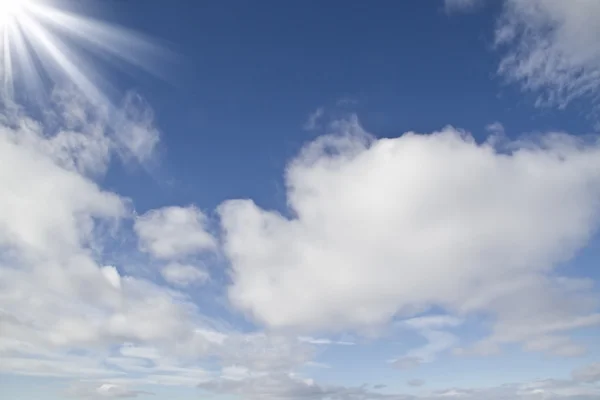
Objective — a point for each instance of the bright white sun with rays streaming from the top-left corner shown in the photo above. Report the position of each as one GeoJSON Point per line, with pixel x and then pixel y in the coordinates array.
{"type": "Point", "coordinates": [41, 42]}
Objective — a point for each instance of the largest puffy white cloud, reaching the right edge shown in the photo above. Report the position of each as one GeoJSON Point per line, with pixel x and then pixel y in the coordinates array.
{"type": "Point", "coordinates": [394, 226]}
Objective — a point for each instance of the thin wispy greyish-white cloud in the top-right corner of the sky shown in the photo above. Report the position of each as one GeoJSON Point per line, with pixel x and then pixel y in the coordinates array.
{"type": "Point", "coordinates": [552, 47]}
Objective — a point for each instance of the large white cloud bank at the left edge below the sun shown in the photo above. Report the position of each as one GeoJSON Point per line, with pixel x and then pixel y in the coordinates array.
{"type": "Point", "coordinates": [55, 294]}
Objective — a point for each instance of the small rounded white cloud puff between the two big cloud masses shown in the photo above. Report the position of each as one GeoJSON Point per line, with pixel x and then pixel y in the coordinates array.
{"type": "Point", "coordinates": [174, 232]}
